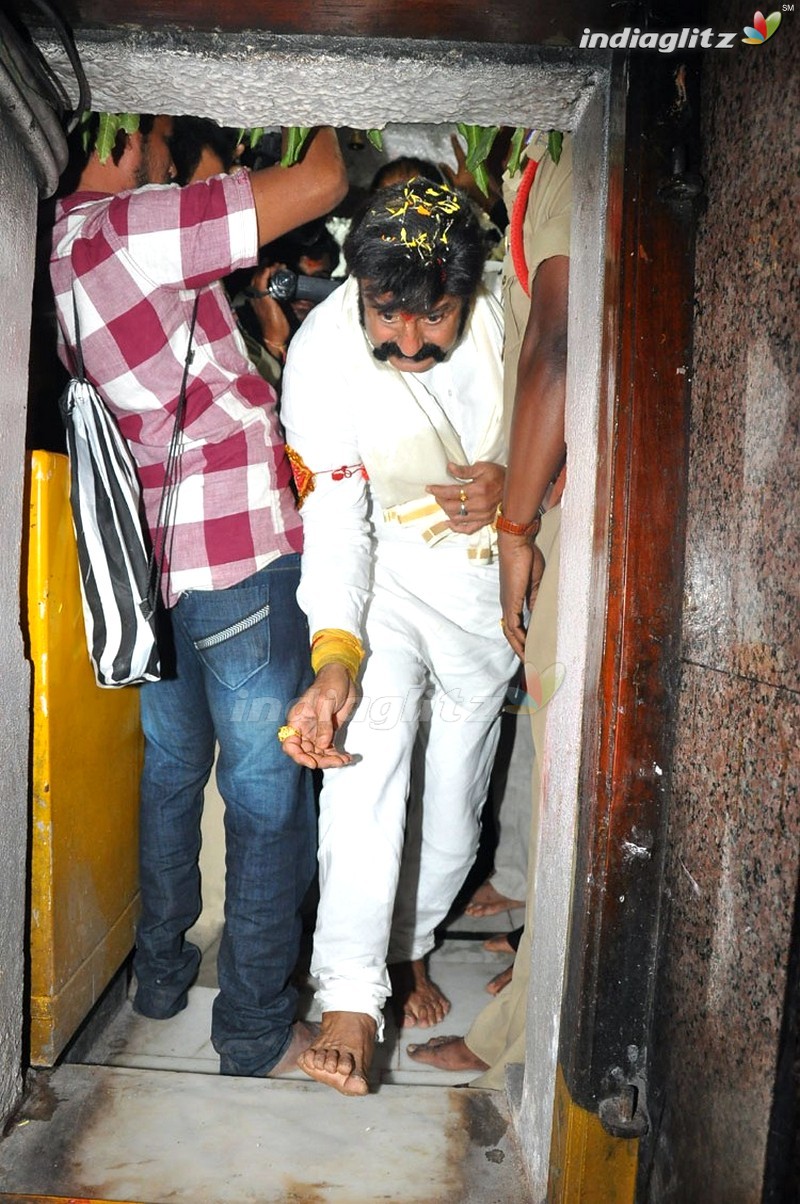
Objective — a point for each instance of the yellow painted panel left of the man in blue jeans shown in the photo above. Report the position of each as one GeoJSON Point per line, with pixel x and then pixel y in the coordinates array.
{"type": "Point", "coordinates": [86, 766]}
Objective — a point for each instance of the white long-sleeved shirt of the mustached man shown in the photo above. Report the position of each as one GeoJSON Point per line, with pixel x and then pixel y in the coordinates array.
{"type": "Point", "coordinates": [343, 410]}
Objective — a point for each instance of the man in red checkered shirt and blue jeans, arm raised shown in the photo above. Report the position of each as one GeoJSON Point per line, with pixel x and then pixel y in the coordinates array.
{"type": "Point", "coordinates": [136, 251]}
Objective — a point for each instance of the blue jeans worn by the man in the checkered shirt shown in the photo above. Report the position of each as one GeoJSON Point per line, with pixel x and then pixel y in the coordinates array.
{"type": "Point", "coordinates": [242, 656]}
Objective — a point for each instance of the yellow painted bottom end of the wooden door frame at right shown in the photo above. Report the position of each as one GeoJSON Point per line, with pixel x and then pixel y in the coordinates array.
{"type": "Point", "coordinates": [587, 1165]}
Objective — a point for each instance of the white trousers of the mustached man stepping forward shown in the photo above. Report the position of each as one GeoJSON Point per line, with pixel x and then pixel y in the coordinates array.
{"type": "Point", "coordinates": [403, 823]}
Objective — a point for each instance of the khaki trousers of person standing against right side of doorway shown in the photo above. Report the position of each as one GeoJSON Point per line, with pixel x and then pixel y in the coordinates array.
{"type": "Point", "coordinates": [498, 1035]}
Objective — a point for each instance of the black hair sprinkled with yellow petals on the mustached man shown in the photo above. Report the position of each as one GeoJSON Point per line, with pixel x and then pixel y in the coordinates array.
{"type": "Point", "coordinates": [417, 243]}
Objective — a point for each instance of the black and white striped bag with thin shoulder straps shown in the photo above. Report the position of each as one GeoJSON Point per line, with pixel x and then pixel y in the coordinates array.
{"type": "Point", "coordinates": [120, 573]}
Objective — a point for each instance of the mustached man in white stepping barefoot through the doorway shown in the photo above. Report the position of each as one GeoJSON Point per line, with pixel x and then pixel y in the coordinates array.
{"type": "Point", "coordinates": [393, 411]}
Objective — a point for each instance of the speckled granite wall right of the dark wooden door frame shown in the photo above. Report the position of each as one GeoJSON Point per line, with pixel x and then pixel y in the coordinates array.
{"type": "Point", "coordinates": [734, 845]}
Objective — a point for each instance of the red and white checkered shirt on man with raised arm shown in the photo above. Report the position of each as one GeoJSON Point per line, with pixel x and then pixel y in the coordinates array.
{"type": "Point", "coordinates": [137, 262]}
